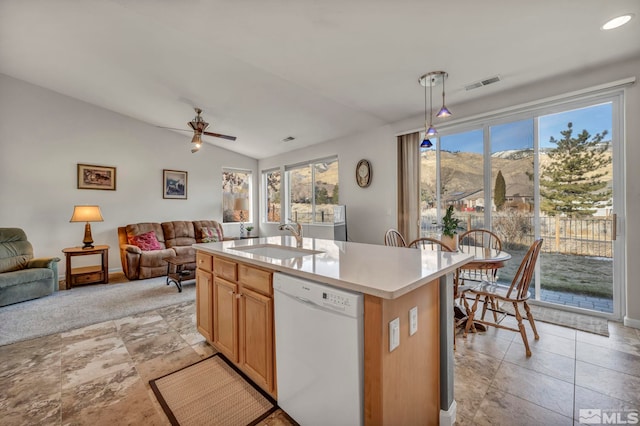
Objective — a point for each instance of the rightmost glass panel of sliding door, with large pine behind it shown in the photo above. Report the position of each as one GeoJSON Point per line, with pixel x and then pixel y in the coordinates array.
{"type": "Point", "coordinates": [577, 208]}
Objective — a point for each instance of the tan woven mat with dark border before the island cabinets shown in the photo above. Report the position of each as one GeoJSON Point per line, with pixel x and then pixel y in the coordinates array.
{"type": "Point", "coordinates": [212, 392]}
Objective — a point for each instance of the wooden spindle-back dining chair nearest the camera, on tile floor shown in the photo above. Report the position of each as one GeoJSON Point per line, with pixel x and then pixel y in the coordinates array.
{"type": "Point", "coordinates": [492, 295]}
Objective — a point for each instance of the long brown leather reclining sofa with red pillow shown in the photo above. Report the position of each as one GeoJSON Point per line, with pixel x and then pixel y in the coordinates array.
{"type": "Point", "coordinates": [143, 246]}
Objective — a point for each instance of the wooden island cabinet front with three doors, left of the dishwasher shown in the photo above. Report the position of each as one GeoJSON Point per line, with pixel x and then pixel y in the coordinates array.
{"type": "Point", "coordinates": [240, 307]}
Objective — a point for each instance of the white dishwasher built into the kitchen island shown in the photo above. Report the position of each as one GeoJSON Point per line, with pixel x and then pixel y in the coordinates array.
{"type": "Point", "coordinates": [319, 352]}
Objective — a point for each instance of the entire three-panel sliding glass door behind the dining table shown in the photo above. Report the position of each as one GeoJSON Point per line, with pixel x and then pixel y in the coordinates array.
{"type": "Point", "coordinates": [550, 175]}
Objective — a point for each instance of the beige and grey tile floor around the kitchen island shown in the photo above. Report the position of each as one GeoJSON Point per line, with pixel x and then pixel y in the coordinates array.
{"type": "Point", "coordinates": [99, 374]}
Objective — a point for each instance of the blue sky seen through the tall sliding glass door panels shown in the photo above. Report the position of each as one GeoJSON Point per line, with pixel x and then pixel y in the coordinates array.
{"type": "Point", "coordinates": [519, 134]}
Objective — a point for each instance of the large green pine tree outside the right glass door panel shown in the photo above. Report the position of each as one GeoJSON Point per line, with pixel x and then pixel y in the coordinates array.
{"type": "Point", "coordinates": [572, 182]}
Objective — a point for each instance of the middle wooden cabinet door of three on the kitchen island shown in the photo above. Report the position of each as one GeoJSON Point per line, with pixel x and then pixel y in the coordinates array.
{"type": "Point", "coordinates": [225, 318]}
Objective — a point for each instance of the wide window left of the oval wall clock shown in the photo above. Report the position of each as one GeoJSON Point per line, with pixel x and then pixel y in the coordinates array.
{"type": "Point", "coordinates": [313, 191]}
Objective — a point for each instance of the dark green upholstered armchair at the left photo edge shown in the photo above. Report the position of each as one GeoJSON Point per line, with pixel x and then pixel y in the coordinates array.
{"type": "Point", "coordinates": [23, 277]}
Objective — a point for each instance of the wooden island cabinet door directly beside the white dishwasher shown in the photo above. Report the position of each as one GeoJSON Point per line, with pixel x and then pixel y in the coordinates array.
{"type": "Point", "coordinates": [256, 338]}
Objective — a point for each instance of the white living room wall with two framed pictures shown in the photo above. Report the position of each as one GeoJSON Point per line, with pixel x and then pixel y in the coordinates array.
{"type": "Point", "coordinates": [44, 135]}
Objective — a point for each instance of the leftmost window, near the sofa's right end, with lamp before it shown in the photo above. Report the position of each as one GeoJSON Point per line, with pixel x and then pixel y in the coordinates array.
{"type": "Point", "coordinates": [236, 185]}
